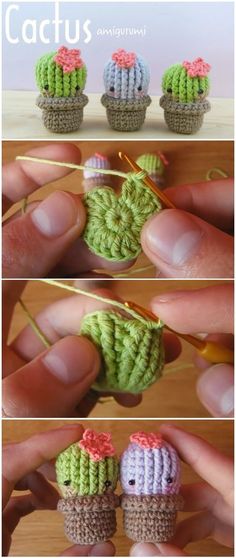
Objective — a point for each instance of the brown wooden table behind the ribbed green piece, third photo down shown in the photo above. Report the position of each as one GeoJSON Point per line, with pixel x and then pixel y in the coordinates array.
{"type": "Point", "coordinates": [172, 396]}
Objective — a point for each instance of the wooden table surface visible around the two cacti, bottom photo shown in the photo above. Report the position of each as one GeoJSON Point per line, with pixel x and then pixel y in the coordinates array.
{"type": "Point", "coordinates": [41, 533]}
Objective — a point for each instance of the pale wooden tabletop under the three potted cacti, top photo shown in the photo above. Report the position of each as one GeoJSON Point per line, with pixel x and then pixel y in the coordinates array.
{"type": "Point", "coordinates": [22, 119]}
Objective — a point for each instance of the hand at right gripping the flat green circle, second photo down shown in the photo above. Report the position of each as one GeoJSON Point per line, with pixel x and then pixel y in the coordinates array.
{"type": "Point", "coordinates": [195, 239]}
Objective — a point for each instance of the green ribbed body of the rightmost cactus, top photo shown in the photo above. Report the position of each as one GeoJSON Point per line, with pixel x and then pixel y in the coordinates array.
{"type": "Point", "coordinates": [177, 83]}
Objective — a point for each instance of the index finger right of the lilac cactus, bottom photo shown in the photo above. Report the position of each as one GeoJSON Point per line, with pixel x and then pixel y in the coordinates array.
{"type": "Point", "coordinates": [211, 465]}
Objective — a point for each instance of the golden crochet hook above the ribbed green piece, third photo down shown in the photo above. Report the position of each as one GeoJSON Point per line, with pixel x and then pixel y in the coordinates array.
{"type": "Point", "coordinates": [209, 350]}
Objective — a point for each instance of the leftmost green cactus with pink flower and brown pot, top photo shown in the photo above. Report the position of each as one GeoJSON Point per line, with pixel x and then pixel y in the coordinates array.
{"type": "Point", "coordinates": [61, 78]}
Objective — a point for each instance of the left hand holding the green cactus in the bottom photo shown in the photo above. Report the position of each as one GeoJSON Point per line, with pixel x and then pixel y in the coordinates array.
{"type": "Point", "coordinates": [21, 464]}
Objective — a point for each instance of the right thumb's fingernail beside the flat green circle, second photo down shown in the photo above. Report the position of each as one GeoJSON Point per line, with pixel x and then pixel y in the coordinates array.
{"type": "Point", "coordinates": [173, 236]}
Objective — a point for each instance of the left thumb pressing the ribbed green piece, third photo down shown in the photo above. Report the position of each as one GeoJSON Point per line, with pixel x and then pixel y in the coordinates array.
{"type": "Point", "coordinates": [53, 383]}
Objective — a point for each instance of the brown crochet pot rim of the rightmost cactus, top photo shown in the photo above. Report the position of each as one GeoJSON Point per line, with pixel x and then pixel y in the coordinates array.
{"type": "Point", "coordinates": [194, 108]}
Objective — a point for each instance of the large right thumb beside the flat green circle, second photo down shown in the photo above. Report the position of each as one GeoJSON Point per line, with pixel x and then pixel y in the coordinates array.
{"type": "Point", "coordinates": [183, 245]}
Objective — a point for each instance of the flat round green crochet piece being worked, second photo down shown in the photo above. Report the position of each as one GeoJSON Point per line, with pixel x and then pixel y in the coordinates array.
{"type": "Point", "coordinates": [114, 223]}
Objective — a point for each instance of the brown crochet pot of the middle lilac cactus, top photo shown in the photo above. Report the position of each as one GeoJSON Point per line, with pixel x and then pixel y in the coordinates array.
{"type": "Point", "coordinates": [126, 116]}
